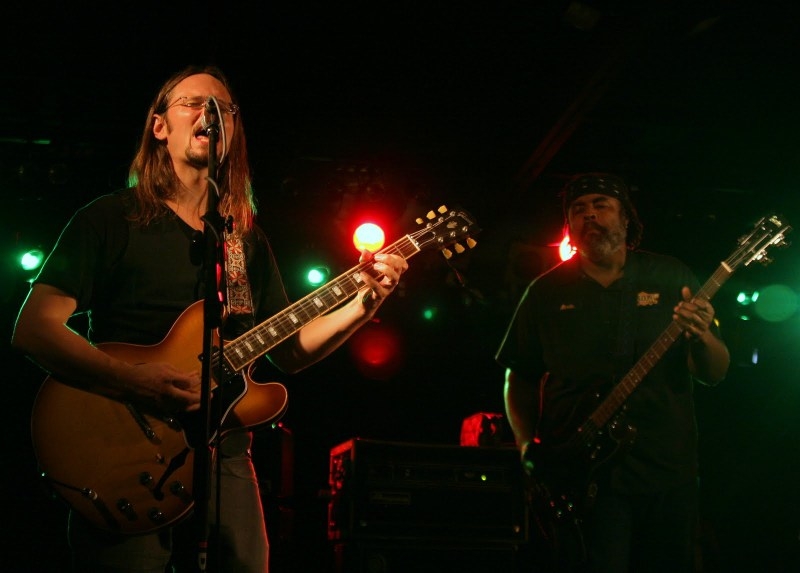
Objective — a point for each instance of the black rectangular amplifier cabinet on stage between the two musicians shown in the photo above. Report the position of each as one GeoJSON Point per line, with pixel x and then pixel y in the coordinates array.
{"type": "Point", "coordinates": [405, 491]}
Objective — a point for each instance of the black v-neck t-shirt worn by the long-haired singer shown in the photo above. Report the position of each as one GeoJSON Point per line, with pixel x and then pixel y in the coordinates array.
{"type": "Point", "coordinates": [134, 281]}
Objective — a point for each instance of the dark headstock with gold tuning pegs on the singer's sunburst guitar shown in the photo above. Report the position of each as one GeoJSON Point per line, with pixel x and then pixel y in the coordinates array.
{"type": "Point", "coordinates": [445, 228]}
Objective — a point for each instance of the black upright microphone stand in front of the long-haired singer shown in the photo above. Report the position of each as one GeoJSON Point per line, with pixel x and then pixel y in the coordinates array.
{"type": "Point", "coordinates": [213, 259]}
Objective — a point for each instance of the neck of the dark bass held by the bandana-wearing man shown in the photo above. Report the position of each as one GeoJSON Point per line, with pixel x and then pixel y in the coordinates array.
{"type": "Point", "coordinates": [617, 397]}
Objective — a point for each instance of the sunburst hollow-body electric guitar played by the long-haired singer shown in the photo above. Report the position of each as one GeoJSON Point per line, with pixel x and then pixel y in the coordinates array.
{"type": "Point", "coordinates": [130, 471]}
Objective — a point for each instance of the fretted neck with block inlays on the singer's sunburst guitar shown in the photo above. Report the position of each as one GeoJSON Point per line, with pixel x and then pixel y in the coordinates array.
{"type": "Point", "coordinates": [241, 351]}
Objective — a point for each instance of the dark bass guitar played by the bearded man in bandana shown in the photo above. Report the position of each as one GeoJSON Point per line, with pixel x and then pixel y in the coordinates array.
{"type": "Point", "coordinates": [562, 474]}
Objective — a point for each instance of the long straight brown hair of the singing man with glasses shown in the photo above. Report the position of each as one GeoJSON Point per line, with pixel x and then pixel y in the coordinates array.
{"type": "Point", "coordinates": [152, 175]}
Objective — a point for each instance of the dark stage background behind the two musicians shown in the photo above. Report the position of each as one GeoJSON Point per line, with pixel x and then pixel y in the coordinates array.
{"type": "Point", "coordinates": [401, 107]}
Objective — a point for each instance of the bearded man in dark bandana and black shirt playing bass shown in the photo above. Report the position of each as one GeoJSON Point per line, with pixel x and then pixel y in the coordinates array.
{"type": "Point", "coordinates": [619, 495]}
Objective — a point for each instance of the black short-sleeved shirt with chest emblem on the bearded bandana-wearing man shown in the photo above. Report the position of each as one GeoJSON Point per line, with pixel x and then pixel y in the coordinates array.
{"type": "Point", "coordinates": [588, 337]}
